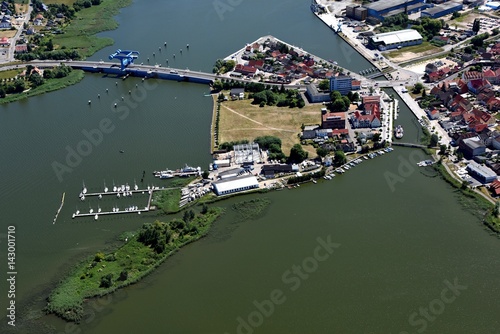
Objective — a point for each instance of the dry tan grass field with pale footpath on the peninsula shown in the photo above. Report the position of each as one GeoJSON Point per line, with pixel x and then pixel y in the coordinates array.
{"type": "Point", "coordinates": [241, 120]}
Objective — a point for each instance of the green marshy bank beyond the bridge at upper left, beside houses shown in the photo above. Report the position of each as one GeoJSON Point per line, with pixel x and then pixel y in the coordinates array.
{"type": "Point", "coordinates": [80, 33]}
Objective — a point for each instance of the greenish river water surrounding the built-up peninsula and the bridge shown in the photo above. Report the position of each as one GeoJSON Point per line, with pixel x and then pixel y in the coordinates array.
{"type": "Point", "coordinates": [401, 234]}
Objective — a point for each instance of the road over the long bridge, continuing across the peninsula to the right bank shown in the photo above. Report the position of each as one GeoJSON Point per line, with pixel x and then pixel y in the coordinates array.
{"type": "Point", "coordinates": [169, 73]}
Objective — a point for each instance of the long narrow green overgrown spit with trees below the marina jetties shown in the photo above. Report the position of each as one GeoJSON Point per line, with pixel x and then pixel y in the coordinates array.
{"type": "Point", "coordinates": [144, 251]}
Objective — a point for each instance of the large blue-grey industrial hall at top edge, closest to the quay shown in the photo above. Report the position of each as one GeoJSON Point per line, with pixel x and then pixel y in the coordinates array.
{"type": "Point", "coordinates": [385, 8]}
